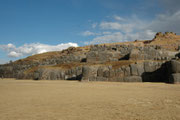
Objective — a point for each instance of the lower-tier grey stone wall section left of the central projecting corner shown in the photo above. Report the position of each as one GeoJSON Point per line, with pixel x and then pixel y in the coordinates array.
{"type": "Point", "coordinates": [45, 73]}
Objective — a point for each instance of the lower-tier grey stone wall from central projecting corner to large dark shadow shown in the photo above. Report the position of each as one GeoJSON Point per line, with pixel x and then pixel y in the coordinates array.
{"type": "Point", "coordinates": [148, 71]}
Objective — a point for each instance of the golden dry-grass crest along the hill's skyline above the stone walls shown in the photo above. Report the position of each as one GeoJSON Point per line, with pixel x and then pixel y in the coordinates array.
{"type": "Point", "coordinates": [169, 41]}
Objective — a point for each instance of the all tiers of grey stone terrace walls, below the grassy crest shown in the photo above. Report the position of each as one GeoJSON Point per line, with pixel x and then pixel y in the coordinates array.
{"type": "Point", "coordinates": [150, 65]}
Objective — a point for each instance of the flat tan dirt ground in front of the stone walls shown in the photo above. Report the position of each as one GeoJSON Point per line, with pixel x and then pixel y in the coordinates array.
{"type": "Point", "coordinates": [72, 100]}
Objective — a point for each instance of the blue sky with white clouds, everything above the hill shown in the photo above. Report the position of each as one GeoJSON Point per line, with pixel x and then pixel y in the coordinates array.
{"type": "Point", "coordinates": [34, 26]}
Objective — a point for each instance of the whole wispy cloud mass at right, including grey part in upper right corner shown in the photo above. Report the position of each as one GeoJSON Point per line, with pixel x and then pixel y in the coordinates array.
{"type": "Point", "coordinates": [131, 28]}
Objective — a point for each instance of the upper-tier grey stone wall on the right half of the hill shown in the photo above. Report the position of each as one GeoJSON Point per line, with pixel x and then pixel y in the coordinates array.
{"type": "Point", "coordinates": [128, 52]}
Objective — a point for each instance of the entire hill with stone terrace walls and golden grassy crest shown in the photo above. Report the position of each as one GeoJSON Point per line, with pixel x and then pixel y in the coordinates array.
{"type": "Point", "coordinates": [135, 61]}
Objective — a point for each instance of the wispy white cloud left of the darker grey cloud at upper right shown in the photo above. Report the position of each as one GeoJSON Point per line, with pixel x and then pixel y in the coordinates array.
{"type": "Point", "coordinates": [121, 31]}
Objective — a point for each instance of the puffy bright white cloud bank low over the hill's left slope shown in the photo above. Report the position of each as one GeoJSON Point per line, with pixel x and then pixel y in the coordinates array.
{"type": "Point", "coordinates": [34, 48]}
